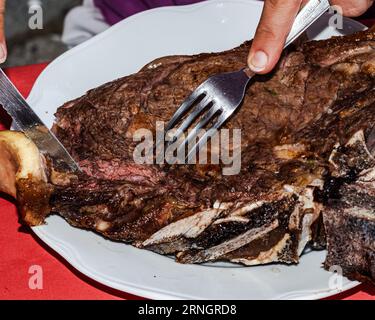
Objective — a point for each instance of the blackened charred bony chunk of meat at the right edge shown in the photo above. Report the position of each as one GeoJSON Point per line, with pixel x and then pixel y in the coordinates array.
{"type": "Point", "coordinates": [349, 217]}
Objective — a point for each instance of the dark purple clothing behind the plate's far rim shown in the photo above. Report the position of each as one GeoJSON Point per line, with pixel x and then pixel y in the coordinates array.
{"type": "Point", "coordinates": [116, 10]}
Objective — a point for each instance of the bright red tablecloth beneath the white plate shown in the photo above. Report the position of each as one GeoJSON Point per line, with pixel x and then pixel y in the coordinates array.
{"type": "Point", "coordinates": [20, 249]}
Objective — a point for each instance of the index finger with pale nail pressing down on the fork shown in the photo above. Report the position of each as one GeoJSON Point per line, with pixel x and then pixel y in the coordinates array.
{"type": "Point", "coordinates": [274, 26]}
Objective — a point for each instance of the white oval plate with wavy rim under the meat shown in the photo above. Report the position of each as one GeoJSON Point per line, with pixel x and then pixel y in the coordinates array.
{"type": "Point", "coordinates": [124, 49]}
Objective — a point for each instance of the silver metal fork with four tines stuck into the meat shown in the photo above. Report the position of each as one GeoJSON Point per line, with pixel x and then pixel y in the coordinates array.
{"type": "Point", "coordinates": [219, 96]}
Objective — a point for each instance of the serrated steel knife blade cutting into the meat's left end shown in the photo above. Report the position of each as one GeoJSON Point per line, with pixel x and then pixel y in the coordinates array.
{"type": "Point", "coordinates": [33, 127]}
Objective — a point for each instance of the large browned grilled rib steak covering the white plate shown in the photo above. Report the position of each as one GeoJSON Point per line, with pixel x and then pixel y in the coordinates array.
{"type": "Point", "coordinates": [301, 172]}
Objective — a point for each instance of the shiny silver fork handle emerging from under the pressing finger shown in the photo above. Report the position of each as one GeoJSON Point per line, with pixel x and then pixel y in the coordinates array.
{"type": "Point", "coordinates": [311, 12]}
